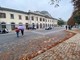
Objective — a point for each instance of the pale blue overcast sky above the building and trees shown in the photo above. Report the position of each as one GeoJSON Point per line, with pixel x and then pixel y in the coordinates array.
{"type": "Point", "coordinates": [64, 11]}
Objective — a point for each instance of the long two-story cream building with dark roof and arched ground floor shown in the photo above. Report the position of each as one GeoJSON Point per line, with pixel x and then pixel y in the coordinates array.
{"type": "Point", "coordinates": [11, 18]}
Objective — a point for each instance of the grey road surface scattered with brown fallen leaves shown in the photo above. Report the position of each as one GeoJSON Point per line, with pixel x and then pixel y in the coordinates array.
{"type": "Point", "coordinates": [12, 47]}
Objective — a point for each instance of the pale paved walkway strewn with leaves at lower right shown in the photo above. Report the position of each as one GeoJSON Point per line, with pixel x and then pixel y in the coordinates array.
{"type": "Point", "coordinates": [68, 50]}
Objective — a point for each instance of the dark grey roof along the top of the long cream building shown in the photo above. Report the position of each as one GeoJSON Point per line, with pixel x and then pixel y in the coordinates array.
{"type": "Point", "coordinates": [35, 13]}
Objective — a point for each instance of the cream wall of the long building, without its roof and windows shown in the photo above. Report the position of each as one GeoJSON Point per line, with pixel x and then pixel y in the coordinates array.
{"type": "Point", "coordinates": [16, 20]}
